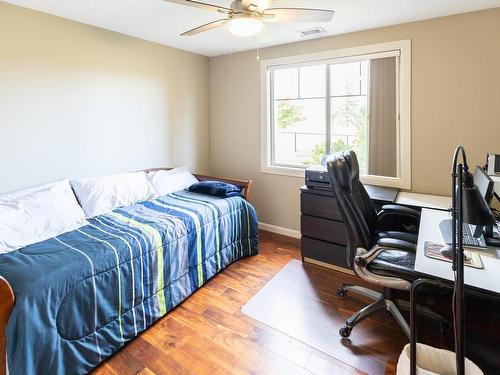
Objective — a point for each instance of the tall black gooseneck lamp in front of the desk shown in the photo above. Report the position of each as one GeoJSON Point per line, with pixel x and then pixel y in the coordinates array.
{"type": "Point", "coordinates": [468, 206]}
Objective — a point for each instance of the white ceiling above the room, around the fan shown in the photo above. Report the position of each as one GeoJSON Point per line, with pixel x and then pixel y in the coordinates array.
{"type": "Point", "coordinates": [162, 22]}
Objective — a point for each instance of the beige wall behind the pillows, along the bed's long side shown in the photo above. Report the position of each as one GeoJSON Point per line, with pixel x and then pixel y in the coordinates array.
{"type": "Point", "coordinates": [77, 101]}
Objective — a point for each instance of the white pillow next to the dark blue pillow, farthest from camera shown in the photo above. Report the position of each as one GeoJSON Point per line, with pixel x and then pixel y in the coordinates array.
{"type": "Point", "coordinates": [166, 182]}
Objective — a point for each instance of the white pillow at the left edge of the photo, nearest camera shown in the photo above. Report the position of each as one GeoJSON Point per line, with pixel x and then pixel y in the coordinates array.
{"type": "Point", "coordinates": [37, 214]}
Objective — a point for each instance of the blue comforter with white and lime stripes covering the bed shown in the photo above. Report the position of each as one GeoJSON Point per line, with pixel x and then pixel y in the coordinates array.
{"type": "Point", "coordinates": [82, 295]}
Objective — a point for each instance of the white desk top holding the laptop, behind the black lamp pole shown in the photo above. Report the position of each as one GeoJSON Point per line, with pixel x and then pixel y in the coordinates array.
{"type": "Point", "coordinates": [487, 278]}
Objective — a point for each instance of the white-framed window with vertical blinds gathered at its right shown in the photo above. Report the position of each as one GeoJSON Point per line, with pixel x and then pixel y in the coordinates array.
{"type": "Point", "coordinates": [356, 99]}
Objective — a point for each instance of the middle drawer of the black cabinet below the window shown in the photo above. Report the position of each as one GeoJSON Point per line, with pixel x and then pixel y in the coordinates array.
{"type": "Point", "coordinates": [323, 229]}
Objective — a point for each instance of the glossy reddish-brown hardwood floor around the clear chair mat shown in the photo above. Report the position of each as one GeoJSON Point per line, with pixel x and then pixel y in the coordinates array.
{"type": "Point", "coordinates": [208, 334]}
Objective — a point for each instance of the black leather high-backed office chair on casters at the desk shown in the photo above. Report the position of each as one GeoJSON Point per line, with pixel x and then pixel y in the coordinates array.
{"type": "Point", "coordinates": [384, 258]}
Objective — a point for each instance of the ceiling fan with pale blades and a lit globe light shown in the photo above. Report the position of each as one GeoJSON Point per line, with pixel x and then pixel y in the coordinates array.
{"type": "Point", "coordinates": [245, 18]}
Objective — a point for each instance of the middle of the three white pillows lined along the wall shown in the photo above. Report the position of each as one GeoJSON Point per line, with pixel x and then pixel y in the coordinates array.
{"type": "Point", "coordinates": [100, 195]}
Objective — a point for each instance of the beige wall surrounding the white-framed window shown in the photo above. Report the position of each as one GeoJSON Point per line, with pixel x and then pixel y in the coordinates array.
{"type": "Point", "coordinates": [455, 100]}
